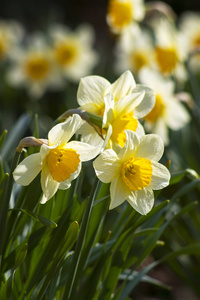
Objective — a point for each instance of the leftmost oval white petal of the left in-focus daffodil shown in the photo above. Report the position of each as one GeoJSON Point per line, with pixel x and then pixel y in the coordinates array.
{"type": "Point", "coordinates": [28, 169]}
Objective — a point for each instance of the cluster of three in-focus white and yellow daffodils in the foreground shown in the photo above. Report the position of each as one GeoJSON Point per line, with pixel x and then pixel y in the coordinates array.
{"type": "Point", "coordinates": [128, 159]}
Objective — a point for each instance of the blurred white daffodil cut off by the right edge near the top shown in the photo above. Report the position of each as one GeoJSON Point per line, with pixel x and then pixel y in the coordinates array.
{"type": "Point", "coordinates": [190, 28]}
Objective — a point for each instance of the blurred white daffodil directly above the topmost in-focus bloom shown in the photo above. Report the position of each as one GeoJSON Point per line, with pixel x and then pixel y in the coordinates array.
{"type": "Point", "coordinates": [134, 50]}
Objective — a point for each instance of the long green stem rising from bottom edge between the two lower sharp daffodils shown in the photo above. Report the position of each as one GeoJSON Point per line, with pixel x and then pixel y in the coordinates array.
{"type": "Point", "coordinates": [72, 279]}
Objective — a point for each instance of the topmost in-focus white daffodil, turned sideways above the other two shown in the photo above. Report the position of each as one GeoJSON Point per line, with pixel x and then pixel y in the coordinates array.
{"type": "Point", "coordinates": [120, 104]}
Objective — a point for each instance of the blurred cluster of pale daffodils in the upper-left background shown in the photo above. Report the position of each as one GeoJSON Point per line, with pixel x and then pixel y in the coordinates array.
{"type": "Point", "coordinates": [46, 60]}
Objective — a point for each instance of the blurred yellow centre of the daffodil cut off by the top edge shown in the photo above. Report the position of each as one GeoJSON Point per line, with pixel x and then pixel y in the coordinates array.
{"type": "Point", "coordinates": [120, 13]}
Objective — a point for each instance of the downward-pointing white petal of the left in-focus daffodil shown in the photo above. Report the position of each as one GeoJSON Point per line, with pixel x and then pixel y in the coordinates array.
{"type": "Point", "coordinates": [49, 185]}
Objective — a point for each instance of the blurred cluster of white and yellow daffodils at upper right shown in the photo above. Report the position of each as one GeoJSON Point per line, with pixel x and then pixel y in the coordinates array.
{"type": "Point", "coordinates": [157, 46]}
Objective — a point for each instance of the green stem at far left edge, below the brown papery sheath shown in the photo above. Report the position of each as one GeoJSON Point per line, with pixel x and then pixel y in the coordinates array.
{"type": "Point", "coordinates": [5, 206]}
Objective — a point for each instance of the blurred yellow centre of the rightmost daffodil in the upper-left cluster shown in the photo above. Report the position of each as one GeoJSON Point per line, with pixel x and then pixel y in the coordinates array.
{"type": "Point", "coordinates": [65, 53]}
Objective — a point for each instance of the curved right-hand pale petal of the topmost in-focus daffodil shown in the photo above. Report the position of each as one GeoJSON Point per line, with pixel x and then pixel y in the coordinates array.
{"type": "Point", "coordinates": [147, 103]}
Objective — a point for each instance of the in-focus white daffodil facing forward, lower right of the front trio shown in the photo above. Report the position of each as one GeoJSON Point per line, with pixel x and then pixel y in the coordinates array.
{"type": "Point", "coordinates": [134, 172]}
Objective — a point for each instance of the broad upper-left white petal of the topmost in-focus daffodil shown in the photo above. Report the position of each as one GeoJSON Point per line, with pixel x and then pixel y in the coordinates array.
{"type": "Point", "coordinates": [92, 89]}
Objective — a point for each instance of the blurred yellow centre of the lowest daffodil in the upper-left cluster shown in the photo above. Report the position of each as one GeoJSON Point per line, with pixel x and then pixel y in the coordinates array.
{"type": "Point", "coordinates": [37, 67]}
